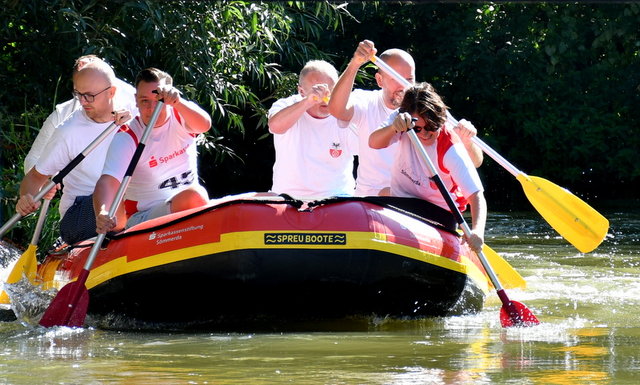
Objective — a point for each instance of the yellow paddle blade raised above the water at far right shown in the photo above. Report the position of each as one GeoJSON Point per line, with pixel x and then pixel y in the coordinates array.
{"type": "Point", "coordinates": [570, 216]}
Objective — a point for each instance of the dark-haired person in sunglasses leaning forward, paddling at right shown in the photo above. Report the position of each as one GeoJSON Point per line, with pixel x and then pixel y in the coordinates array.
{"type": "Point", "coordinates": [423, 110]}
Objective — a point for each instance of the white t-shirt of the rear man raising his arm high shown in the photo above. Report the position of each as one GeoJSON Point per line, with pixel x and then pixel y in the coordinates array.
{"type": "Point", "coordinates": [374, 166]}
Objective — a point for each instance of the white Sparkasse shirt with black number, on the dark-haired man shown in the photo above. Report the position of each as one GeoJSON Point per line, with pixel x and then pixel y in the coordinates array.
{"type": "Point", "coordinates": [168, 165]}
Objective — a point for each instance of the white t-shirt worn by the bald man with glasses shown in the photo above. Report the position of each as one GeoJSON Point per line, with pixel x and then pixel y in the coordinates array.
{"type": "Point", "coordinates": [68, 140]}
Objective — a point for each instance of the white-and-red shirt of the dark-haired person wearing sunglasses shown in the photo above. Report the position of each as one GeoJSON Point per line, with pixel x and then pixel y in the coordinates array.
{"type": "Point", "coordinates": [410, 176]}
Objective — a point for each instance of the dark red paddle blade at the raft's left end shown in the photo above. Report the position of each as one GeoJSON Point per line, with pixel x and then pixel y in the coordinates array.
{"type": "Point", "coordinates": [69, 307]}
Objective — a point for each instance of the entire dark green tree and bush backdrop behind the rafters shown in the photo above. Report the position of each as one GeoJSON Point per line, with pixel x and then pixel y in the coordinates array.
{"type": "Point", "coordinates": [553, 87]}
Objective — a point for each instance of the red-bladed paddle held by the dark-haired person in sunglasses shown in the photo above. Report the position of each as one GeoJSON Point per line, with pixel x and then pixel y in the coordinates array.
{"type": "Point", "coordinates": [512, 313]}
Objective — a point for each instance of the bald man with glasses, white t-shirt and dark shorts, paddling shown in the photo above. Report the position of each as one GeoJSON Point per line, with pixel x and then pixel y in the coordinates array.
{"type": "Point", "coordinates": [94, 89]}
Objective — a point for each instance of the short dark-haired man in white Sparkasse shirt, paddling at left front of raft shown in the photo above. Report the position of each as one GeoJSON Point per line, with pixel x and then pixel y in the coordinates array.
{"type": "Point", "coordinates": [166, 177]}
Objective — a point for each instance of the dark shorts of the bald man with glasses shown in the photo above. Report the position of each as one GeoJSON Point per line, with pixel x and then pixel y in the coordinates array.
{"type": "Point", "coordinates": [79, 222]}
